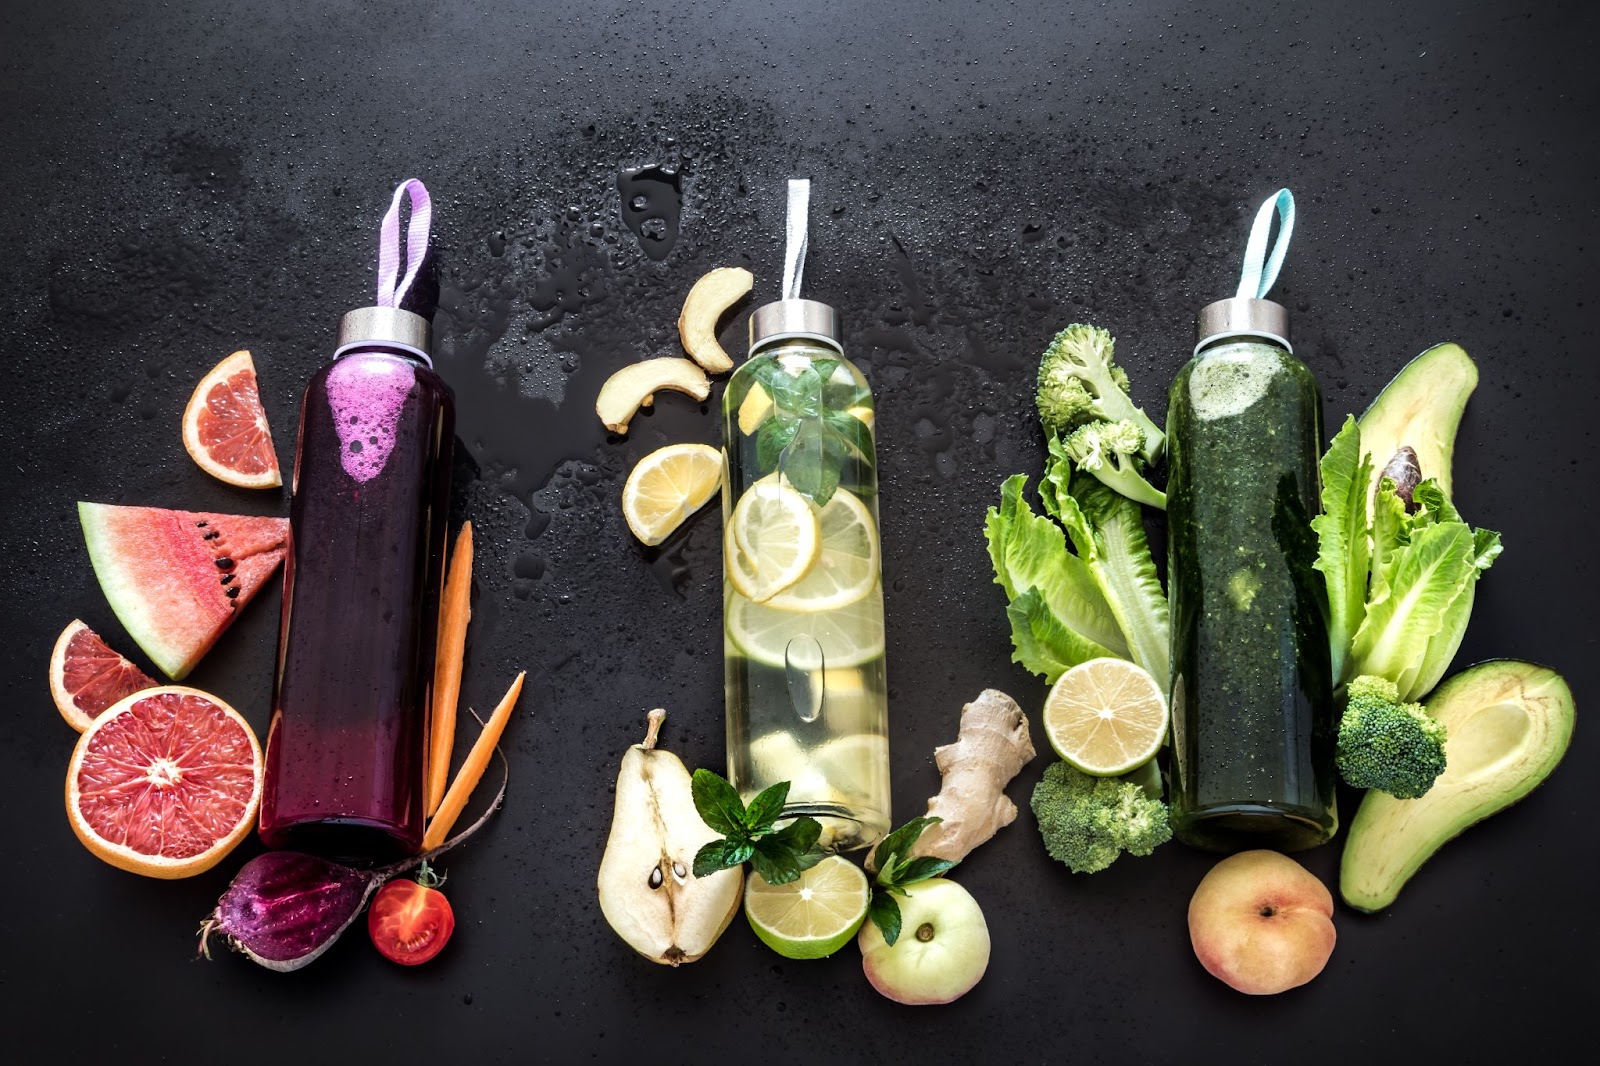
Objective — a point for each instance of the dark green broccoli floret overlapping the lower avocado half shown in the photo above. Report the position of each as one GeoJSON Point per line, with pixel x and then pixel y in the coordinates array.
{"type": "Point", "coordinates": [1386, 743]}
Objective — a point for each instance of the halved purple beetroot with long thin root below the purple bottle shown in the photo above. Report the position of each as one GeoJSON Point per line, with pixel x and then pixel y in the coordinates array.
{"type": "Point", "coordinates": [287, 908]}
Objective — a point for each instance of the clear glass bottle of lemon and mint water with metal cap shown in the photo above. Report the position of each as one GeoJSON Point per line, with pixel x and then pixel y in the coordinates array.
{"type": "Point", "coordinates": [807, 697]}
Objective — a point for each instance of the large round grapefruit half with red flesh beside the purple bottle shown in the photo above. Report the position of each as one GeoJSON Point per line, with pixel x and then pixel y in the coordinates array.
{"type": "Point", "coordinates": [166, 783]}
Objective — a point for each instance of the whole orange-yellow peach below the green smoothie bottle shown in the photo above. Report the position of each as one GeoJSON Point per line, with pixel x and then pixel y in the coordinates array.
{"type": "Point", "coordinates": [1262, 923]}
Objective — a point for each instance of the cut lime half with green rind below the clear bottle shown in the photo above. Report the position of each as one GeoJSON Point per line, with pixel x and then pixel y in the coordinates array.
{"type": "Point", "coordinates": [810, 918]}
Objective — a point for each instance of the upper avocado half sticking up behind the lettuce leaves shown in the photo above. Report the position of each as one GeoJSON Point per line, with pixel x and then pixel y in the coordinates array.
{"type": "Point", "coordinates": [1422, 409]}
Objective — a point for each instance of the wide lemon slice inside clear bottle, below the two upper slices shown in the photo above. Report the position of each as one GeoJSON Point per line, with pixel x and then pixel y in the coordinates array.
{"type": "Point", "coordinates": [849, 636]}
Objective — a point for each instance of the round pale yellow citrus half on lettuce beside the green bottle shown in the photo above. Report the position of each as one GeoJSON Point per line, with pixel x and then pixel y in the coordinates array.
{"type": "Point", "coordinates": [1106, 716]}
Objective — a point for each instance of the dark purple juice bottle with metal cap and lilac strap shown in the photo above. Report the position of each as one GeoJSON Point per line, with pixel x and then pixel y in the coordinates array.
{"type": "Point", "coordinates": [348, 743]}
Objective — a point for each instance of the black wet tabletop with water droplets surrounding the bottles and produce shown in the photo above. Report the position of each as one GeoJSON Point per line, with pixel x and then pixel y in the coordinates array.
{"type": "Point", "coordinates": [183, 183]}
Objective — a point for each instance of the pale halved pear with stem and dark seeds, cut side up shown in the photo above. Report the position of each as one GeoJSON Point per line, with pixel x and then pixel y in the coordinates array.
{"type": "Point", "coordinates": [649, 891]}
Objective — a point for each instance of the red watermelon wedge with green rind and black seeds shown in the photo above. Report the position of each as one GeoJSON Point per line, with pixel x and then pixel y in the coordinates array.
{"type": "Point", "coordinates": [178, 579]}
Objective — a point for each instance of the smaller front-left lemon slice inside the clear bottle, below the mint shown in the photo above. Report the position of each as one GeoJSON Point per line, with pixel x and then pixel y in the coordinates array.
{"type": "Point", "coordinates": [772, 542]}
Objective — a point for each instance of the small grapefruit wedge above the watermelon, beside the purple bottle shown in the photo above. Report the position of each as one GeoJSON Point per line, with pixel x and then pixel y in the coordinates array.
{"type": "Point", "coordinates": [226, 428]}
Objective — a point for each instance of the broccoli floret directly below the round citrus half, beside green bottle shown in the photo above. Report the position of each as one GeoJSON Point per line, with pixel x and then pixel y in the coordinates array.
{"type": "Point", "coordinates": [1089, 822]}
